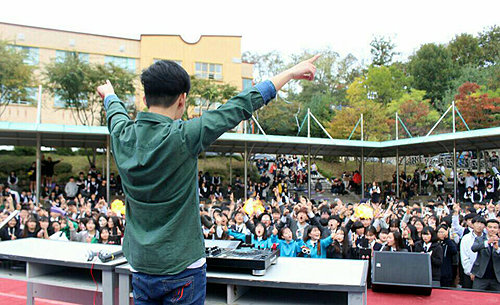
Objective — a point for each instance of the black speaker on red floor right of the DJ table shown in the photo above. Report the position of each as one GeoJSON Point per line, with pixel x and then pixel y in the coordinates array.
{"type": "Point", "coordinates": [402, 272]}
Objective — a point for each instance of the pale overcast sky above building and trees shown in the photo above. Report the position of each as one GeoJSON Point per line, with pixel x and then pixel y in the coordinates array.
{"type": "Point", "coordinates": [286, 26]}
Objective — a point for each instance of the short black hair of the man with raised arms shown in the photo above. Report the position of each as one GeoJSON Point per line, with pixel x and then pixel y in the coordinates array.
{"type": "Point", "coordinates": [163, 82]}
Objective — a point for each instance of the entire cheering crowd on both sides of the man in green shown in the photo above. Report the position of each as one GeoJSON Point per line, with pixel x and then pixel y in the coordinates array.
{"type": "Point", "coordinates": [460, 237]}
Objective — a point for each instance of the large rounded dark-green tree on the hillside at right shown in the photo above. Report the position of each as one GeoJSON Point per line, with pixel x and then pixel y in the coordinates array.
{"type": "Point", "coordinates": [432, 69]}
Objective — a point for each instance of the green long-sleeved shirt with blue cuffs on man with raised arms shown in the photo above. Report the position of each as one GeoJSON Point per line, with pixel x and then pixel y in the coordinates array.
{"type": "Point", "coordinates": [157, 159]}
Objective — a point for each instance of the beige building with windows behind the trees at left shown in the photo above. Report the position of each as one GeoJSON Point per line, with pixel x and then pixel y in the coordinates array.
{"type": "Point", "coordinates": [217, 58]}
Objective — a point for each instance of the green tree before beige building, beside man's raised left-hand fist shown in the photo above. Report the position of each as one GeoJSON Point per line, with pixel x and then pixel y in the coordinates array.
{"type": "Point", "coordinates": [75, 81]}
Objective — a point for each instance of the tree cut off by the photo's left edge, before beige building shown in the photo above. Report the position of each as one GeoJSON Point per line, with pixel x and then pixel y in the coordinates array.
{"type": "Point", "coordinates": [15, 76]}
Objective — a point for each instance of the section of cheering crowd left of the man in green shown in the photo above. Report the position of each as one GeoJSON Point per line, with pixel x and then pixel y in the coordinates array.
{"type": "Point", "coordinates": [76, 210]}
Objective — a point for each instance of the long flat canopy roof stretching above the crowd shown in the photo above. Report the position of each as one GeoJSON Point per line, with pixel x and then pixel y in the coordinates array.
{"type": "Point", "coordinates": [24, 134]}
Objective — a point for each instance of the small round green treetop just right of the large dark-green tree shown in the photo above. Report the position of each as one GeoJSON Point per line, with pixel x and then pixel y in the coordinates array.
{"type": "Point", "coordinates": [465, 50]}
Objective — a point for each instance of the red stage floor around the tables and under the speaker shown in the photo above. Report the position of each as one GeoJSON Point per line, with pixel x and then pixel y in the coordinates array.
{"type": "Point", "coordinates": [14, 293]}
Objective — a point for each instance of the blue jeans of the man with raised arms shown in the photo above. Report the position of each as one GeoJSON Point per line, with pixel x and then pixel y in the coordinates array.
{"type": "Point", "coordinates": [187, 287]}
